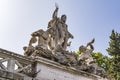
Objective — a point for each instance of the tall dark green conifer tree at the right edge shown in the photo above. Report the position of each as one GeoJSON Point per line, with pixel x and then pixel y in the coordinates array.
{"type": "Point", "coordinates": [114, 51]}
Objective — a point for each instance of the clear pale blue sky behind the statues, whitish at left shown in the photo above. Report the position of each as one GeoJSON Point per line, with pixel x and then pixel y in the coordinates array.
{"type": "Point", "coordinates": [86, 19]}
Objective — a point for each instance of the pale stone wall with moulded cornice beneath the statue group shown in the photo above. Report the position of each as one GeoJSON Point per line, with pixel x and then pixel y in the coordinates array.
{"type": "Point", "coordinates": [50, 70]}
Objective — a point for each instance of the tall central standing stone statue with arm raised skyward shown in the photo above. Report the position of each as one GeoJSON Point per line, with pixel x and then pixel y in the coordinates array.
{"type": "Point", "coordinates": [59, 31]}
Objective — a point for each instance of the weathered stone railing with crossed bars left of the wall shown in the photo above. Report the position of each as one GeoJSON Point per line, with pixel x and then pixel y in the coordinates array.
{"type": "Point", "coordinates": [14, 66]}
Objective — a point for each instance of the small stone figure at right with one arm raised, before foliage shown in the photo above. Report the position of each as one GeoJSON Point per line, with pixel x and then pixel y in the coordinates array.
{"type": "Point", "coordinates": [86, 53]}
